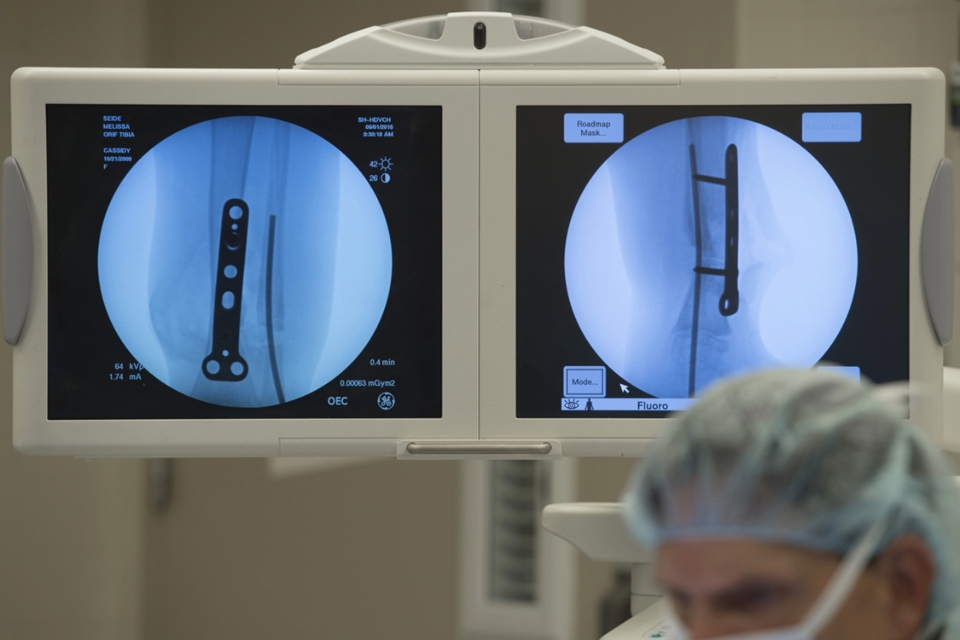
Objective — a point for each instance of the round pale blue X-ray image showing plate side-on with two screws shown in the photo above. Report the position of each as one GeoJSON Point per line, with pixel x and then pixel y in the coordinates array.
{"type": "Point", "coordinates": [705, 247]}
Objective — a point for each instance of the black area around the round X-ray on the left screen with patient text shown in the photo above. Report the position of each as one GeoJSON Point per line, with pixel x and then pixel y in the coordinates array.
{"type": "Point", "coordinates": [84, 348]}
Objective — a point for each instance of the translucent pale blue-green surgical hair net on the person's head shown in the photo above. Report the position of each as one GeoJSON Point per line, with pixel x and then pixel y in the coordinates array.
{"type": "Point", "coordinates": [800, 457]}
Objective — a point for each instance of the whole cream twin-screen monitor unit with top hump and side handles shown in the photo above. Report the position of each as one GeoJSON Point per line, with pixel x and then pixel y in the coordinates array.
{"type": "Point", "coordinates": [470, 235]}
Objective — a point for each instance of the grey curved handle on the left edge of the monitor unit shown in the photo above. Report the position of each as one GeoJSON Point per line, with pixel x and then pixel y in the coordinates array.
{"type": "Point", "coordinates": [17, 229]}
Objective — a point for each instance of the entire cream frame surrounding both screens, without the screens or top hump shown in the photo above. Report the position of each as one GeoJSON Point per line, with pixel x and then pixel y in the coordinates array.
{"type": "Point", "coordinates": [479, 245]}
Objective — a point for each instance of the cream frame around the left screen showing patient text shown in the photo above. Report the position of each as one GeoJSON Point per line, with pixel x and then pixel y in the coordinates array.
{"type": "Point", "coordinates": [453, 90]}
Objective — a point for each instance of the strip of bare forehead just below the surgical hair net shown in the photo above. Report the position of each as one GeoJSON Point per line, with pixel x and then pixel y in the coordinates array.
{"type": "Point", "coordinates": [715, 563]}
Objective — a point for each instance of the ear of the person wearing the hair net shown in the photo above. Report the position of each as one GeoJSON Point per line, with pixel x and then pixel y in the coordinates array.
{"type": "Point", "coordinates": [907, 567]}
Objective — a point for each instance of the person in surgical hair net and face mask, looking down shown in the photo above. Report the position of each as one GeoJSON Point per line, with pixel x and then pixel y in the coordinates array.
{"type": "Point", "coordinates": [792, 505]}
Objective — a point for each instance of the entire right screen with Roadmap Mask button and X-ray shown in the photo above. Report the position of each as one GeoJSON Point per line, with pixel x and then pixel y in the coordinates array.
{"type": "Point", "coordinates": [662, 248]}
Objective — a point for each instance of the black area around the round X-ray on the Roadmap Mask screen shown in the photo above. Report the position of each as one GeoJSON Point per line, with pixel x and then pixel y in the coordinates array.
{"type": "Point", "coordinates": [873, 176]}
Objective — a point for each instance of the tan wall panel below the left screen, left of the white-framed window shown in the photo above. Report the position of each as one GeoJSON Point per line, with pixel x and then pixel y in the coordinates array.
{"type": "Point", "coordinates": [359, 552]}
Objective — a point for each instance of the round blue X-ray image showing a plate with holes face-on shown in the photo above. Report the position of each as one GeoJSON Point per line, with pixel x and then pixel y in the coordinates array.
{"type": "Point", "coordinates": [245, 261]}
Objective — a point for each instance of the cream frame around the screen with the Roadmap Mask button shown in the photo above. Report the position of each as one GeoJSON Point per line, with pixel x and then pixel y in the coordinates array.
{"type": "Point", "coordinates": [503, 91]}
